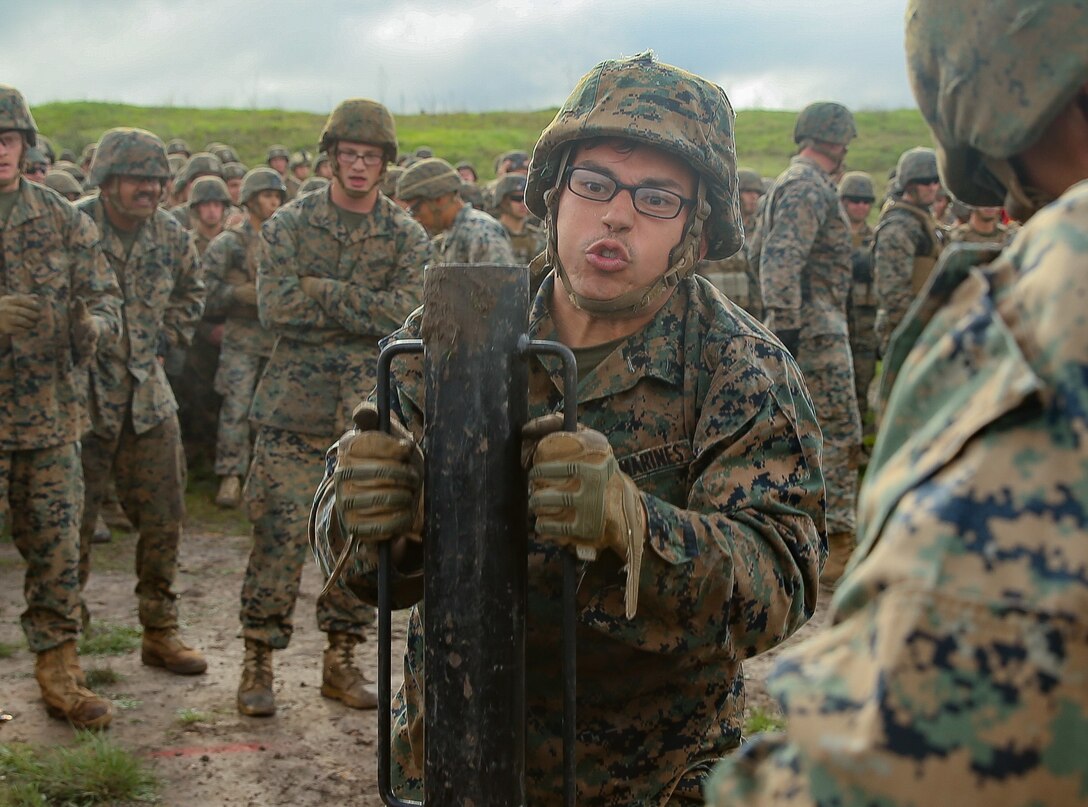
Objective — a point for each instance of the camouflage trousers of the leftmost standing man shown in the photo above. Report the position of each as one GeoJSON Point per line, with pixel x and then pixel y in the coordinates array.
{"type": "Point", "coordinates": [42, 493]}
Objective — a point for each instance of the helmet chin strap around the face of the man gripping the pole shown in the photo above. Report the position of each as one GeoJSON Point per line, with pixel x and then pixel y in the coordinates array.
{"type": "Point", "coordinates": [683, 258]}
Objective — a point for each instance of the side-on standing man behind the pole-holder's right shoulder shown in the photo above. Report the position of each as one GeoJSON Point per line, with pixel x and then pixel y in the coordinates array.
{"type": "Point", "coordinates": [806, 275]}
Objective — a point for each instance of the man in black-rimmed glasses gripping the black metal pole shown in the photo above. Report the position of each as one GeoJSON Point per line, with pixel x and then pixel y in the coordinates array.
{"type": "Point", "coordinates": [715, 438]}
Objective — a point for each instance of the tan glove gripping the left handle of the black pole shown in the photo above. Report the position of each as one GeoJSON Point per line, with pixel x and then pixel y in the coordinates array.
{"type": "Point", "coordinates": [379, 481]}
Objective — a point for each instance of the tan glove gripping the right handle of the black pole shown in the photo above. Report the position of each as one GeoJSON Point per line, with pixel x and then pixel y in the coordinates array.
{"type": "Point", "coordinates": [580, 498]}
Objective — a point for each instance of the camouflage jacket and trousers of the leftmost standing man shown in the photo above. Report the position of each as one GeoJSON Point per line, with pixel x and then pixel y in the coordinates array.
{"type": "Point", "coordinates": [50, 251]}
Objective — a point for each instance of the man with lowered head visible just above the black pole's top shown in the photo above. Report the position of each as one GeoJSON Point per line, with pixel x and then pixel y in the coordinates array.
{"type": "Point", "coordinates": [462, 234]}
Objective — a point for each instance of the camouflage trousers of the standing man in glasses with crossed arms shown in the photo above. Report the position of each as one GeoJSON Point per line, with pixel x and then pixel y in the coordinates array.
{"type": "Point", "coordinates": [287, 471]}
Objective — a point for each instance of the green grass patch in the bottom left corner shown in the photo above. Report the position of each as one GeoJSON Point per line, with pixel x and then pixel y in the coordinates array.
{"type": "Point", "coordinates": [94, 772]}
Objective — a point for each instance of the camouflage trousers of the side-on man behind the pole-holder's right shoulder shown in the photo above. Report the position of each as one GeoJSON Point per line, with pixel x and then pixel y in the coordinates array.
{"type": "Point", "coordinates": [830, 374]}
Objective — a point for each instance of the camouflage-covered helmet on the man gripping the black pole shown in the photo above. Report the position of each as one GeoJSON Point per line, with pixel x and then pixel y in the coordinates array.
{"type": "Point", "coordinates": [640, 98]}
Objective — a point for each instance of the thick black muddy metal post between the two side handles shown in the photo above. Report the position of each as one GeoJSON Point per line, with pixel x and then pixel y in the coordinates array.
{"type": "Point", "coordinates": [476, 501]}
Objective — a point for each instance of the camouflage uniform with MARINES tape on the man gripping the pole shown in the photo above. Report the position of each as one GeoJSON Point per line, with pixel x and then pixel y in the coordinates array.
{"type": "Point", "coordinates": [710, 417]}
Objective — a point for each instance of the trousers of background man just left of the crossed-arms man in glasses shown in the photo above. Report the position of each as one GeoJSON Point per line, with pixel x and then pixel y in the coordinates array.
{"type": "Point", "coordinates": [236, 380]}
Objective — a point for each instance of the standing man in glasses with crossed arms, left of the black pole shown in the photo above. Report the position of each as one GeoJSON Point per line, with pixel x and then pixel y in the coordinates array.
{"type": "Point", "coordinates": [338, 270]}
